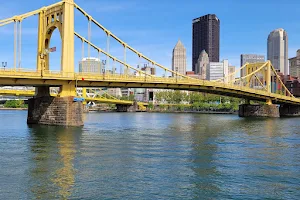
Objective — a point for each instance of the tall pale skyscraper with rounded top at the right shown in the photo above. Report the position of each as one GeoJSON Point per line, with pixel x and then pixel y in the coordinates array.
{"type": "Point", "coordinates": [278, 50]}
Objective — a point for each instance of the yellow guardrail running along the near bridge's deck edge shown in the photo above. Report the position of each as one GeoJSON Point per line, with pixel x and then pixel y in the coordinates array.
{"type": "Point", "coordinates": [49, 74]}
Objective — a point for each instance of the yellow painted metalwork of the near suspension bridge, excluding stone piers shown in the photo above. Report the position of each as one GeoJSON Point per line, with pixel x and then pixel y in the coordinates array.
{"type": "Point", "coordinates": [61, 16]}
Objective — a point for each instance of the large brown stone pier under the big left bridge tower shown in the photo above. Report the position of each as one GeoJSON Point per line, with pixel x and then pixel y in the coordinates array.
{"type": "Point", "coordinates": [60, 111]}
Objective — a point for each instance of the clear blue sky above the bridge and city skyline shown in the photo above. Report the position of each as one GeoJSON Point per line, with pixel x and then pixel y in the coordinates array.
{"type": "Point", "coordinates": [153, 27]}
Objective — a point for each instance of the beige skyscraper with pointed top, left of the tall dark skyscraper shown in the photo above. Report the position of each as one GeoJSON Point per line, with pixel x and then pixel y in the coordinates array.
{"type": "Point", "coordinates": [179, 58]}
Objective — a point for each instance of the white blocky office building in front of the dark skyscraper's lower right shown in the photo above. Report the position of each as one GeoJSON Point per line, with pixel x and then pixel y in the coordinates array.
{"type": "Point", "coordinates": [217, 70]}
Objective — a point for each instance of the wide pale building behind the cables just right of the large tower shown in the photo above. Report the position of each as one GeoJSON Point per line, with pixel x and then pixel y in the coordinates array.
{"type": "Point", "coordinates": [90, 65]}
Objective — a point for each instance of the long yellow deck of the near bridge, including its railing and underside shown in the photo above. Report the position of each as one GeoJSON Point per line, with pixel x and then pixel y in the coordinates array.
{"type": "Point", "coordinates": [35, 78]}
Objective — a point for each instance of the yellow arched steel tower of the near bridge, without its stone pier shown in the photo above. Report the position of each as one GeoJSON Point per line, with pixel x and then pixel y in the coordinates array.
{"type": "Point", "coordinates": [60, 17]}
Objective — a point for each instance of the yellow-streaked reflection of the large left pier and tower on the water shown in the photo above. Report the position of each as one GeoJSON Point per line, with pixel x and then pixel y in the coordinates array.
{"type": "Point", "coordinates": [54, 173]}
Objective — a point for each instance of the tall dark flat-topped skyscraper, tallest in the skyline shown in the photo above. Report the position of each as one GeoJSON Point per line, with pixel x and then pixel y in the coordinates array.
{"type": "Point", "coordinates": [206, 36]}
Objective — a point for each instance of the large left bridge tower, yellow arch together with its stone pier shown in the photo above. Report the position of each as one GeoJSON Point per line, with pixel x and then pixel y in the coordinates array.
{"type": "Point", "coordinates": [62, 110]}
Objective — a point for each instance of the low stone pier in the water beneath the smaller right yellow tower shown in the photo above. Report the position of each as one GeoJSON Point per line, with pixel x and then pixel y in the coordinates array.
{"type": "Point", "coordinates": [247, 110]}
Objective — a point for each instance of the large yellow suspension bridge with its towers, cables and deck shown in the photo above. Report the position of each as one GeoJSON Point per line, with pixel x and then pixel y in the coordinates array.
{"type": "Point", "coordinates": [256, 85]}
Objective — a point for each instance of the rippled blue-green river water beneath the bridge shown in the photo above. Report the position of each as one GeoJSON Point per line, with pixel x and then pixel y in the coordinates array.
{"type": "Point", "coordinates": [150, 156]}
